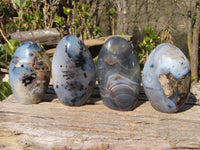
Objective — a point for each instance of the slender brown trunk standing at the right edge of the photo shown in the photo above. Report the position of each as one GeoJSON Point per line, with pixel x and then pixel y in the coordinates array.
{"type": "Point", "coordinates": [195, 46]}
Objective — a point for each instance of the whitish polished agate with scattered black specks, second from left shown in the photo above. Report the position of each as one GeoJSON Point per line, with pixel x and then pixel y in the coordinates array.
{"type": "Point", "coordinates": [73, 71]}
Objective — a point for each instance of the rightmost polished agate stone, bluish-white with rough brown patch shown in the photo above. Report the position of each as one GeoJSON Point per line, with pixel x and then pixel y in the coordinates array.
{"type": "Point", "coordinates": [166, 78]}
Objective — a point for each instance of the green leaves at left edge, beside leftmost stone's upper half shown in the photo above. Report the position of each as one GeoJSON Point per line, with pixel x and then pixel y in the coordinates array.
{"type": "Point", "coordinates": [6, 52]}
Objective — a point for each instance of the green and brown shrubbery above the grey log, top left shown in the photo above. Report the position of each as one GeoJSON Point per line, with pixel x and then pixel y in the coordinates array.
{"type": "Point", "coordinates": [32, 15]}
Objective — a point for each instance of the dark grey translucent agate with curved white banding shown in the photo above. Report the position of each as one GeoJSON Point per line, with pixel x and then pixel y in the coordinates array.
{"type": "Point", "coordinates": [118, 74]}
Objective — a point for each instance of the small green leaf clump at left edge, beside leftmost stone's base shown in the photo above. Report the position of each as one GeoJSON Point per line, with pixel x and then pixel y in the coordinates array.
{"type": "Point", "coordinates": [5, 90]}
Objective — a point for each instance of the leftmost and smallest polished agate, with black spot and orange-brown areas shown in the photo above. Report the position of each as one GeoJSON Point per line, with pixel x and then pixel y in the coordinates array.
{"type": "Point", "coordinates": [29, 73]}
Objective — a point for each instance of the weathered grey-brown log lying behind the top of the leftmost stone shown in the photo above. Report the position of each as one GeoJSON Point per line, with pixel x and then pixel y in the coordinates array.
{"type": "Point", "coordinates": [49, 37]}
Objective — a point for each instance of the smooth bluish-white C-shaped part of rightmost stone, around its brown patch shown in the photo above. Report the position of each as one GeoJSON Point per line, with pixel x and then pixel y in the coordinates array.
{"type": "Point", "coordinates": [165, 58]}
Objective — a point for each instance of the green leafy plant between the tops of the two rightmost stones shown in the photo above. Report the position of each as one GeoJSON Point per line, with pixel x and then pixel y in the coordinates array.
{"type": "Point", "coordinates": [151, 40]}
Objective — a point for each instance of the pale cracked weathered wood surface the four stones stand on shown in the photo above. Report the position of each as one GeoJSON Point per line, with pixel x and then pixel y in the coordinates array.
{"type": "Point", "coordinates": [52, 125]}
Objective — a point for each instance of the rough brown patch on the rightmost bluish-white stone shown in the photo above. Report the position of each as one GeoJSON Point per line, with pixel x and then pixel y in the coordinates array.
{"type": "Point", "coordinates": [170, 85]}
